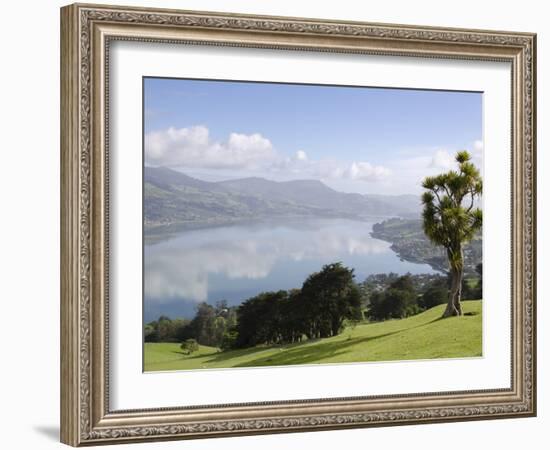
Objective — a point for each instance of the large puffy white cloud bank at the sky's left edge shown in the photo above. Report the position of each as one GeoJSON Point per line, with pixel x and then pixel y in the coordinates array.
{"type": "Point", "coordinates": [192, 147]}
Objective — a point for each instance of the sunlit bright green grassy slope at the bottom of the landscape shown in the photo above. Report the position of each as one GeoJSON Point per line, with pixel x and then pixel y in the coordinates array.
{"type": "Point", "coordinates": [424, 336]}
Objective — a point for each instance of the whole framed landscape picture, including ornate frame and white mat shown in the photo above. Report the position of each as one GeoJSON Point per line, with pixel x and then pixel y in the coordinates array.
{"type": "Point", "coordinates": [276, 224]}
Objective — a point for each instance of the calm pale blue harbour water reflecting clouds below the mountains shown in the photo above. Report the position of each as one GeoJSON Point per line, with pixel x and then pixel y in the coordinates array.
{"type": "Point", "coordinates": [237, 262]}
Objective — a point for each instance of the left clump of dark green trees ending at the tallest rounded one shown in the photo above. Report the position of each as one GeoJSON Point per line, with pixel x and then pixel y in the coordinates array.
{"type": "Point", "coordinates": [319, 309]}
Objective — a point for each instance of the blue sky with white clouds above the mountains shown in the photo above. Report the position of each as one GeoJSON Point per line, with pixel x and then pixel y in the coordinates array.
{"type": "Point", "coordinates": [355, 139]}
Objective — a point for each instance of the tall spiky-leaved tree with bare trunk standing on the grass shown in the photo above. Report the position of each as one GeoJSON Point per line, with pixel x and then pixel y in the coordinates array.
{"type": "Point", "coordinates": [451, 218]}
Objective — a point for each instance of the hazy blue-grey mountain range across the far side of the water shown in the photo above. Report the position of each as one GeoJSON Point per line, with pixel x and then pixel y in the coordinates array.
{"type": "Point", "coordinates": [172, 198]}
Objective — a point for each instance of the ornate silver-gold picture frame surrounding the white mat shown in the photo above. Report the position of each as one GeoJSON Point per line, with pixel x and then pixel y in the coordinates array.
{"type": "Point", "coordinates": [87, 31]}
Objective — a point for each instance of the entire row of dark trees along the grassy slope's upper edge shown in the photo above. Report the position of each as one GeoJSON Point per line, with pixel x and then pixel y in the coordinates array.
{"type": "Point", "coordinates": [321, 308]}
